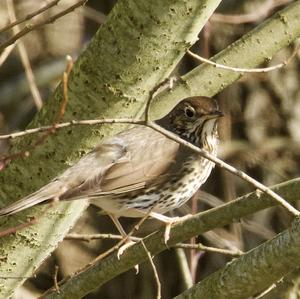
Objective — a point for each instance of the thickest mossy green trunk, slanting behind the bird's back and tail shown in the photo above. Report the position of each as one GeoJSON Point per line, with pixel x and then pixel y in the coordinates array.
{"type": "Point", "coordinates": [138, 46]}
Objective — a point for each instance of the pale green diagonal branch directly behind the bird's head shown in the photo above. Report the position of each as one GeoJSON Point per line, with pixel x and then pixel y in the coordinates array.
{"type": "Point", "coordinates": [252, 49]}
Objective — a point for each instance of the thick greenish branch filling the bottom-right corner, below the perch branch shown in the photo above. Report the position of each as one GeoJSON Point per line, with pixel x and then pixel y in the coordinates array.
{"type": "Point", "coordinates": [254, 271]}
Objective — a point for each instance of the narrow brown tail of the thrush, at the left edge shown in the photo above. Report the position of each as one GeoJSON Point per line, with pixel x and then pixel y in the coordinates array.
{"type": "Point", "coordinates": [51, 191]}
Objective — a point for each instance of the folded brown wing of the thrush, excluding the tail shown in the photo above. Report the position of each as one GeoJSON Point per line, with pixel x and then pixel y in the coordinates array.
{"type": "Point", "coordinates": [147, 154]}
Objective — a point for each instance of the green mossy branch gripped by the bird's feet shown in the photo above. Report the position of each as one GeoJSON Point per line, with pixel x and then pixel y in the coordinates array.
{"type": "Point", "coordinates": [93, 277]}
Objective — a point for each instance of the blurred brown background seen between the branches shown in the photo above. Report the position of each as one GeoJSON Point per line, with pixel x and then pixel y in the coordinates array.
{"type": "Point", "coordinates": [260, 135]}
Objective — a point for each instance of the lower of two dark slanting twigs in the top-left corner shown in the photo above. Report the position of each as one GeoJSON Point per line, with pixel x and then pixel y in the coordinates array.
{"type": "Point", "coordinates": [30, 27]}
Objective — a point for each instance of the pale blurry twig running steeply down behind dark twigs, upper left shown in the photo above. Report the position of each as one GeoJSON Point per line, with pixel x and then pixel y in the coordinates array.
{"type": "Point", "coordinates": [25, 59]}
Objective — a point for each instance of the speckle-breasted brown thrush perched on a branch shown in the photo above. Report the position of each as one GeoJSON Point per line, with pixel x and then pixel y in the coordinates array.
{"type": "Point", "coordinates": [140, 170]}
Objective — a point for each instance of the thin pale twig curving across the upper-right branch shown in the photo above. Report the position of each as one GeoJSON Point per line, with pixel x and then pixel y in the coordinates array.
{"type": "Point", "coordinates": [246, 70]}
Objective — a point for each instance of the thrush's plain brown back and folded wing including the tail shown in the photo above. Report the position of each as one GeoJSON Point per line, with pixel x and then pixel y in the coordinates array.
{"type": "Point", "coordinates": [126, 162]}
